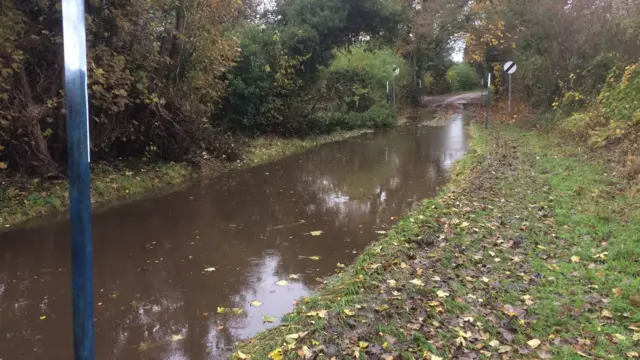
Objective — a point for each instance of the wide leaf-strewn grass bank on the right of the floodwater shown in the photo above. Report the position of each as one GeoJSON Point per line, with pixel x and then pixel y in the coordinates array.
{"type": "Point", "coordinates": [532, 251]}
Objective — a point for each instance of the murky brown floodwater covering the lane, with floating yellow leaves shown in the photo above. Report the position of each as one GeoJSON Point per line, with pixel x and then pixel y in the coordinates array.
{"type": "Point", "coordinates": [157, 292]}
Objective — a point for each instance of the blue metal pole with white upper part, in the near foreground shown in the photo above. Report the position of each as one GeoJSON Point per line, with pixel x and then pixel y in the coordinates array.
{"type": "Point", "coordinates": [75, 66]}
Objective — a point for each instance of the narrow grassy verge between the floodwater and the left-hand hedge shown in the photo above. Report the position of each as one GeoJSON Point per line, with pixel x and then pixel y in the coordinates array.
{"type": "Point", "coordinates": [24, 197]}
